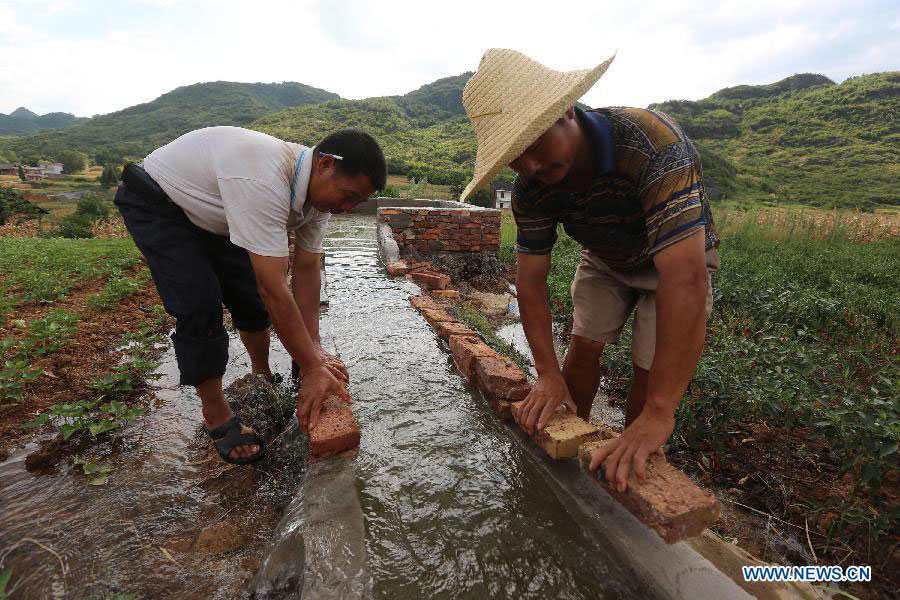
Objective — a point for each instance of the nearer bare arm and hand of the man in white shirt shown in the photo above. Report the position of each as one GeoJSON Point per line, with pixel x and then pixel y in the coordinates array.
{"type": "Point", "coordinates": [318, 382]}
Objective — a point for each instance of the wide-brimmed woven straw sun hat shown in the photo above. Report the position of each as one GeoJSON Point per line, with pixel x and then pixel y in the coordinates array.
{"type": "Point", "coordinates": [512, 100]}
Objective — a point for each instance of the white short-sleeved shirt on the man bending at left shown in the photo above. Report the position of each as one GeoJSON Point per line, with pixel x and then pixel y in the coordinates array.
{"type": "Point", "coordinates": [238, 182]}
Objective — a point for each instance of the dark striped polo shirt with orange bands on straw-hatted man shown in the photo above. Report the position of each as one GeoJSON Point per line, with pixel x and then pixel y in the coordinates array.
{"type": "Point", "coordinates": [647, 192]}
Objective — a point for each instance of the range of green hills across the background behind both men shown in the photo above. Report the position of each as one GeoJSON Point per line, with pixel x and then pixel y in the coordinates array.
{"type": "Point", "coordinates": [803, 139]}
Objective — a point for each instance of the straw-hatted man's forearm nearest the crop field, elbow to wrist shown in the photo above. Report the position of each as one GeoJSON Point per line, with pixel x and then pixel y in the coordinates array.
{"type": "Point", "coordinates": [680, 332]}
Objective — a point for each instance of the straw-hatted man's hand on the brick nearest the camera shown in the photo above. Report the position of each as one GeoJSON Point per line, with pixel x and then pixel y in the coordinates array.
{"type": "Point", "coordinates": [645, 436]}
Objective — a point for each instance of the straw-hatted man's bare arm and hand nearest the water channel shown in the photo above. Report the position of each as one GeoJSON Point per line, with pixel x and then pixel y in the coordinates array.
{"type": "Point", "coordinates": [550, 388]}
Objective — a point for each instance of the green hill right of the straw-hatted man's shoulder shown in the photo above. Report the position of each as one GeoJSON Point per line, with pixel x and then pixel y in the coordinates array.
{"type": "Point", "coordinates": [802, 140]}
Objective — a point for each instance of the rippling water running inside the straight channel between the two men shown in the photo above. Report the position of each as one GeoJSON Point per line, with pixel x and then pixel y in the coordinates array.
{"type": "Point", "coordinates": [452, 507]}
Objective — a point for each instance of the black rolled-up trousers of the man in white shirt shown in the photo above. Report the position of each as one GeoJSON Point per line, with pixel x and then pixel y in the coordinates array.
{"type": "Point", "coordinates": [195, 272]}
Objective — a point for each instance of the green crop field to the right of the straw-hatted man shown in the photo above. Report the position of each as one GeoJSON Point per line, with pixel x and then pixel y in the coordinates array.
{"type": "Point", "coordinates": [803, 337]}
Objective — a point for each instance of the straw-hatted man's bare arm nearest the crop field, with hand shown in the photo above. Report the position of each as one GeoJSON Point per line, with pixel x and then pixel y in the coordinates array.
{"type": "Point", "coordinates": [680, 332]}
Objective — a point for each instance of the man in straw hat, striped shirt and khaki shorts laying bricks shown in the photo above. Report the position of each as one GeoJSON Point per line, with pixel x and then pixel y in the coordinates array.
{"type": "Point", "coordinates": [627, 185]}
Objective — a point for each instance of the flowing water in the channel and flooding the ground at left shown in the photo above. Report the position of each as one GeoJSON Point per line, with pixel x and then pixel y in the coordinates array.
{"type": "Point", "coordinates": [452, 508]}
